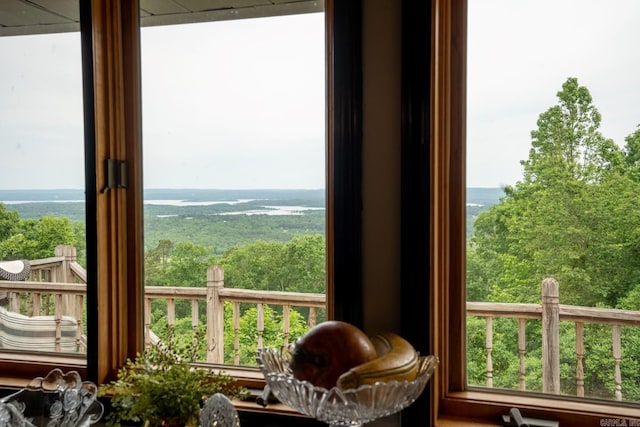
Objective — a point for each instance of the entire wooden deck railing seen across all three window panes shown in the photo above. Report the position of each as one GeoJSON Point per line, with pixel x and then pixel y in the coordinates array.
{"type": "Point", "coordinates": [57, 288]}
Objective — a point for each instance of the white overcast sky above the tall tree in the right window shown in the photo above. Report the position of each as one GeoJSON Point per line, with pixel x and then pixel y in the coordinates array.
{"type": "Point", "coordinates": [519, 55]}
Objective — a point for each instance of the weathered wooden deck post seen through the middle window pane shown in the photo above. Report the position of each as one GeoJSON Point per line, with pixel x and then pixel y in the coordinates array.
{"type": "Point", "coordinates": [215, 315]}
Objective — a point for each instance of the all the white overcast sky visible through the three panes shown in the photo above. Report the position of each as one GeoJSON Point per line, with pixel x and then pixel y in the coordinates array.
{"type": "Point", "coordinates": [244, 100]}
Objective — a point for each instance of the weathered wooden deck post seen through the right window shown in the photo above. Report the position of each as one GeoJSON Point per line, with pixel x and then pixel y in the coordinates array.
{"type": "Point", "coordinates": [550, 336]}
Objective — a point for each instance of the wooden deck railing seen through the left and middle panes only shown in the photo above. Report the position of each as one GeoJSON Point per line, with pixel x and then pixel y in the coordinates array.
{"type": "Point", "coordinates": [57, 286]}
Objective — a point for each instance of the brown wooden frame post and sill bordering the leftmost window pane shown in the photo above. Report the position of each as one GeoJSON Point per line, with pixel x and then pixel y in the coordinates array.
{"type": "Point", "coordinates": [112, 130]}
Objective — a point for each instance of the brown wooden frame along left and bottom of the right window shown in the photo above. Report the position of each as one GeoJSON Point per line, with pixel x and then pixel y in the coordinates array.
{"type": "Point", "coordinates": [451, 396]}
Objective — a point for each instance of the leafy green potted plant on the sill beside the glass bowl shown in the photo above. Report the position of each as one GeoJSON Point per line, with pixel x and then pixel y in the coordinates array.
{"type": "Point", "coordinates": [159, 388]}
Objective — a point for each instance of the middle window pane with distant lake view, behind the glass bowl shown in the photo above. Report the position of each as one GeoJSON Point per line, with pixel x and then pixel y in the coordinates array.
{"type": "Point", "coordinates": [234, 176]}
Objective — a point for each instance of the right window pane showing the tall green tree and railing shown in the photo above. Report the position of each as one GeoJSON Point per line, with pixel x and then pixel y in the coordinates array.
{"type": "Point", "coordinates": [553, 177]}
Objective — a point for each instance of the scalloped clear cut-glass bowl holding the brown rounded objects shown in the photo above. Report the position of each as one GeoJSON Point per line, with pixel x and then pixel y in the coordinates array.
{"type": "Point", "coordinates": [337, 407]}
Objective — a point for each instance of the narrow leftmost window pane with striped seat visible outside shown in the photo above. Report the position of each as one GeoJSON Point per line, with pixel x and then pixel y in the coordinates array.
{"type": "Point", "coordinates": [42, 201]}
